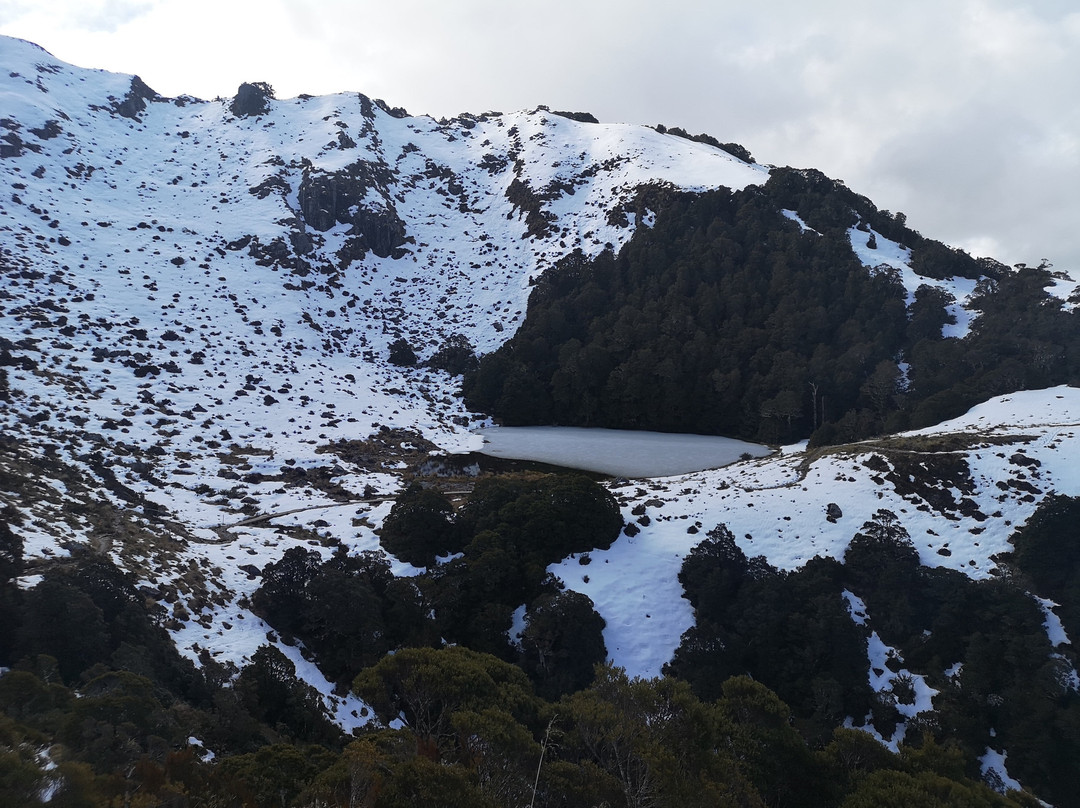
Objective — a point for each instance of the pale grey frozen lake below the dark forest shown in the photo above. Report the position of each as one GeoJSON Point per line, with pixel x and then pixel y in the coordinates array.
{"type": "Point", "coordinates": [619, 453]}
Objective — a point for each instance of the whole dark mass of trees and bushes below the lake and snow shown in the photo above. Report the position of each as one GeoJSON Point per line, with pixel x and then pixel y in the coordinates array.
{"type": "Point", "coordinates": [100, 710]}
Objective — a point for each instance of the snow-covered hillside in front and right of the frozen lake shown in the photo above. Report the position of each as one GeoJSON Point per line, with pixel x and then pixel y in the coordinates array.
{"type": "Point", "coordinates": [961, 490]}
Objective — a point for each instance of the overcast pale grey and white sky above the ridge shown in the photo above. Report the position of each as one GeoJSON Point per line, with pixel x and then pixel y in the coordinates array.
{"type": "Point", "coordinates": [963, 114]}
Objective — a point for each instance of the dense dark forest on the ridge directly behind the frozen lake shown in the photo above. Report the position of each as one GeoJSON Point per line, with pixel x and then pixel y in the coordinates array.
{"type": "Point", "coordinates": [728, 318]}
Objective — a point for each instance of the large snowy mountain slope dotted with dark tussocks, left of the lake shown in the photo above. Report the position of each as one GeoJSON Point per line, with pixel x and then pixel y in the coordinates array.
{"type": "Point", "coordinates": [186, 326]}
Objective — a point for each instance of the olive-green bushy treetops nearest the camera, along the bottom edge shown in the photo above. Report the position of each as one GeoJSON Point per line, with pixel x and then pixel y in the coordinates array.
{"type": "Point", "coordinates": [474, 735]}
